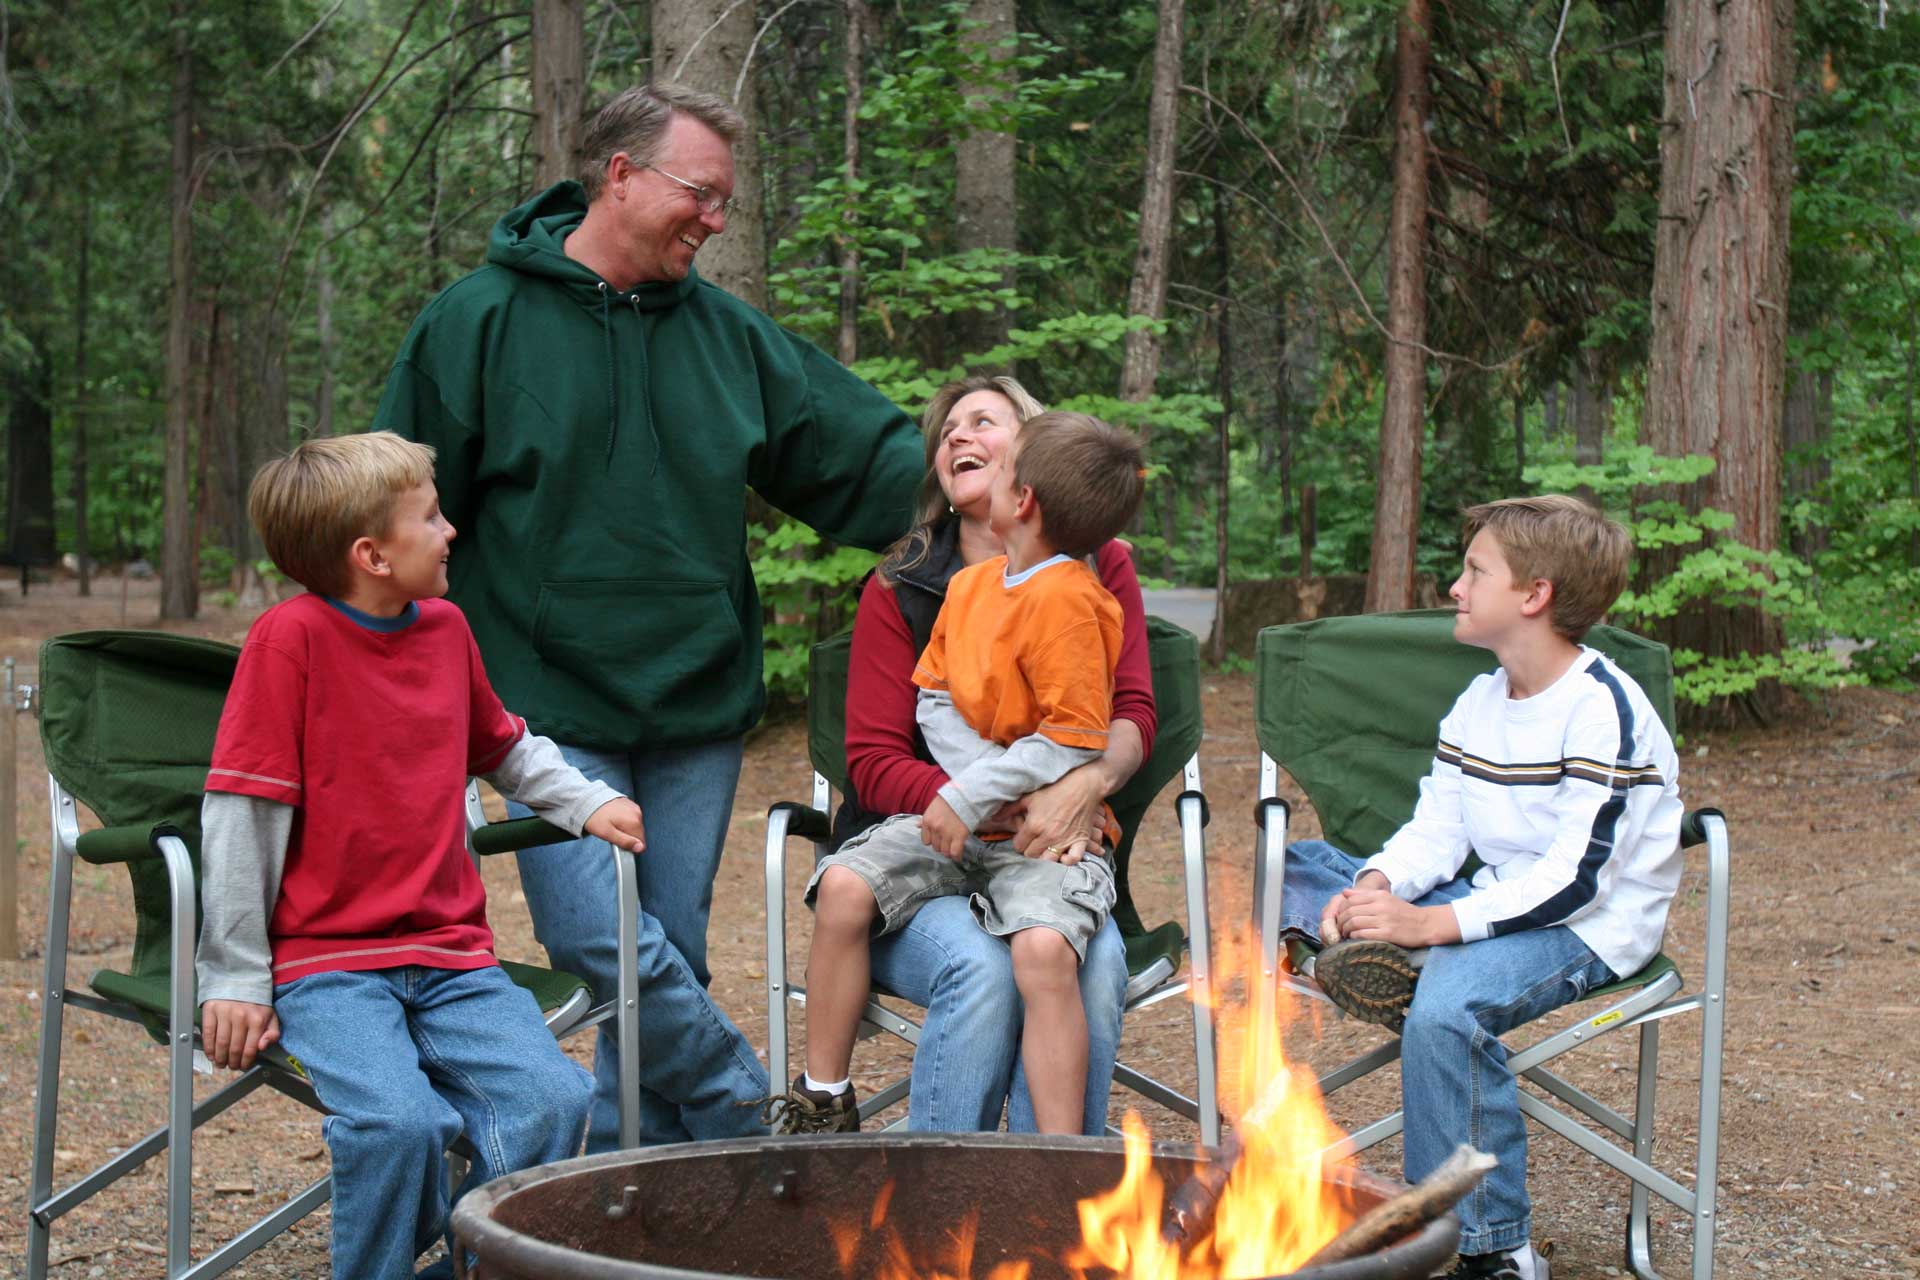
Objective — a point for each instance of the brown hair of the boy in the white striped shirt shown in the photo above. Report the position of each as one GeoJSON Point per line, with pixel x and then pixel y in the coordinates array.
{"type": "Point", "coordinates": [1570, 544]}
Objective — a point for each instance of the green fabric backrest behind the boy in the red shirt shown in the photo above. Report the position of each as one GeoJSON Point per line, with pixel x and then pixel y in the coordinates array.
{"type": "Point", "coordinates": [128, 724]}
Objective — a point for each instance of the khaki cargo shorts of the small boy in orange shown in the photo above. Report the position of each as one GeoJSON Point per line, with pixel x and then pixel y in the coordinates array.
{"type": "Point", "coordinates": [1007, 889]}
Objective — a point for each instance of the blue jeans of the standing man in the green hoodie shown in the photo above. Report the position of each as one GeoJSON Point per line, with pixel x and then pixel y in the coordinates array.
{"type": "Point", "coordinates": [698, 1074]}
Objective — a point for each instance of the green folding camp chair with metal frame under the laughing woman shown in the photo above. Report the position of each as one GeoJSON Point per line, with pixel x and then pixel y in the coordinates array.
{"type": "Point", "coordinates": [1153, 955]}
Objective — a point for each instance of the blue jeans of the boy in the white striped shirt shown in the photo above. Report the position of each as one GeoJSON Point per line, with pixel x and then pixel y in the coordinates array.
{"type": "Point", "coordinates": [1454, 1081]}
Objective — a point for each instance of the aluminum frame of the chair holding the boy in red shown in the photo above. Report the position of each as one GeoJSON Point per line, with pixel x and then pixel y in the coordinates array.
{"type": "Point", "coordinates": [274, 1070]}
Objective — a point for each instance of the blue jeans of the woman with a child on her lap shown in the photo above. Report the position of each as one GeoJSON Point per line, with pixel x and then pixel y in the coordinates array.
{"type": "Point", "coordinates": [969, 1053]}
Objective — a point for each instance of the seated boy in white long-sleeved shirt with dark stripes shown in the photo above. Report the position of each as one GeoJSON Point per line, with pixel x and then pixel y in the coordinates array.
{"type": "Point", "coordinates": [1560, 776]}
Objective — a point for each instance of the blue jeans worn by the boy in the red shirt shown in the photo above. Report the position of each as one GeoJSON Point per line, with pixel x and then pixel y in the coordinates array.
{"type": "Point", "coordinates": [406, 1060]}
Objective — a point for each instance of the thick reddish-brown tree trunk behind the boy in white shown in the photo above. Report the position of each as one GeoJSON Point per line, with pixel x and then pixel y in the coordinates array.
{"type": "Point", "coordinates": [1717, 369]}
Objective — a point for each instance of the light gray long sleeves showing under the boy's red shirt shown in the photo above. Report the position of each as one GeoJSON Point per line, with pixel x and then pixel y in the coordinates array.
{"type": "Point", "coordinates": [243, 855]}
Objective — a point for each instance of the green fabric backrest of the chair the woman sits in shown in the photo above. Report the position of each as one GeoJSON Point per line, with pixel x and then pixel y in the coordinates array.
{"type": "Point", "coordinates": [1176, 663]}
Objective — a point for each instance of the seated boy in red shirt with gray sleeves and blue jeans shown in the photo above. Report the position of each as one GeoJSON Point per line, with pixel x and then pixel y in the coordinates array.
{"type": "Point", "coordinates": [343, 913]}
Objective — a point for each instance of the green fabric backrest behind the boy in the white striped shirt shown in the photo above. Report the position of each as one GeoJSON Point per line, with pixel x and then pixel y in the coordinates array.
{"type": "Point", "coordinates": [1351, 707]}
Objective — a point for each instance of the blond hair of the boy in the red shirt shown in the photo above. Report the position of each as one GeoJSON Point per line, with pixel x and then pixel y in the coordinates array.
{"type": "Point", "coordinates": [314, 504]}
